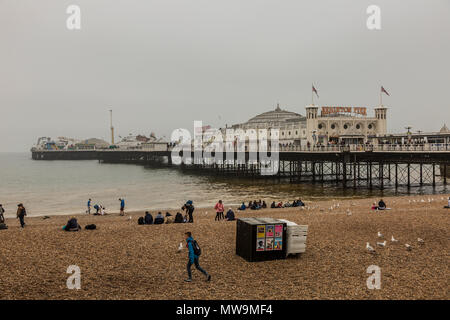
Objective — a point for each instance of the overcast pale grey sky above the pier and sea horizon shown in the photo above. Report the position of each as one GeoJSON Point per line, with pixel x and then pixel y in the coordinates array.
{"type": "Point", "coordinates": [160, 64]}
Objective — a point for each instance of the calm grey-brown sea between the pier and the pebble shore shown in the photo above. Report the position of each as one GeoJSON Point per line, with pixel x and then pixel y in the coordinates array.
{"type": "Point", "coordinates": [63, 187]}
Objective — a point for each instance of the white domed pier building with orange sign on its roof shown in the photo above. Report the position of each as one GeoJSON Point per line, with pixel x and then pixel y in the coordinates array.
{"type": "Point", "coordinates": [322, 125]}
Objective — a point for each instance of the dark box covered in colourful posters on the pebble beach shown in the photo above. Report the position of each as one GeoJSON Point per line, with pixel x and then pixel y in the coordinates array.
{"type": "Point", "coordinates": [260, 239]}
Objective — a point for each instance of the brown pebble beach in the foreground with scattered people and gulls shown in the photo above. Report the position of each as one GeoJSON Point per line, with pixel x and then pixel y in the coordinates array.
{"type": "Point", "coordinates": [124, 260]}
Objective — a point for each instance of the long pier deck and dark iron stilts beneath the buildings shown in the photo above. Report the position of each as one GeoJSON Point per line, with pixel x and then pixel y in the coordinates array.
{"type": "Point", "coordinates": [351, 166]}
